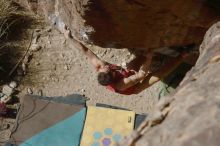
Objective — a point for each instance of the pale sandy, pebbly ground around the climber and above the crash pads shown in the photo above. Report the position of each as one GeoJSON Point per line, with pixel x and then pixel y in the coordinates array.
{"type": "Point", "coordinates": [58, 69]}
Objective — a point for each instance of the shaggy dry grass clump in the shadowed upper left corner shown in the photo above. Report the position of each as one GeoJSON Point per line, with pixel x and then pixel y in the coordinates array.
{"type": "Point", "coordinates": [16, 24]}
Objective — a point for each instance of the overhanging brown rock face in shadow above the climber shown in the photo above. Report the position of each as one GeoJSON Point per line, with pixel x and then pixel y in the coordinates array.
{"type": "Point", "coordinates": [139, 24]}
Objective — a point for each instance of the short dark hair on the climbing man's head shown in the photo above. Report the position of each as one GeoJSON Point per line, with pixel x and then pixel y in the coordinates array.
{"type": "Point", "coordinates": [105, 78]}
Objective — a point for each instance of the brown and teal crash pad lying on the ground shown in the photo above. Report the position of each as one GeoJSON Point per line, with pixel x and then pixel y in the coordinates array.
{"type": "Point", "coordinates": [48, 122]}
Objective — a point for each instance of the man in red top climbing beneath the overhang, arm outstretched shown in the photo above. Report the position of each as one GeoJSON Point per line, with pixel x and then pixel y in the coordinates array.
{"type": "Point", "coordinates": [120, 80]}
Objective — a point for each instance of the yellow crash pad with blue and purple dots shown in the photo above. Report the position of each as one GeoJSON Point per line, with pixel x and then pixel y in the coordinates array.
{"type": "Point", "coordinates": [106, 127]}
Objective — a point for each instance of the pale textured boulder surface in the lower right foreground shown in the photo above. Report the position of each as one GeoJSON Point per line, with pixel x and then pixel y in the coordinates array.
{"type": "Point", "coordinates": [195, 113]}
